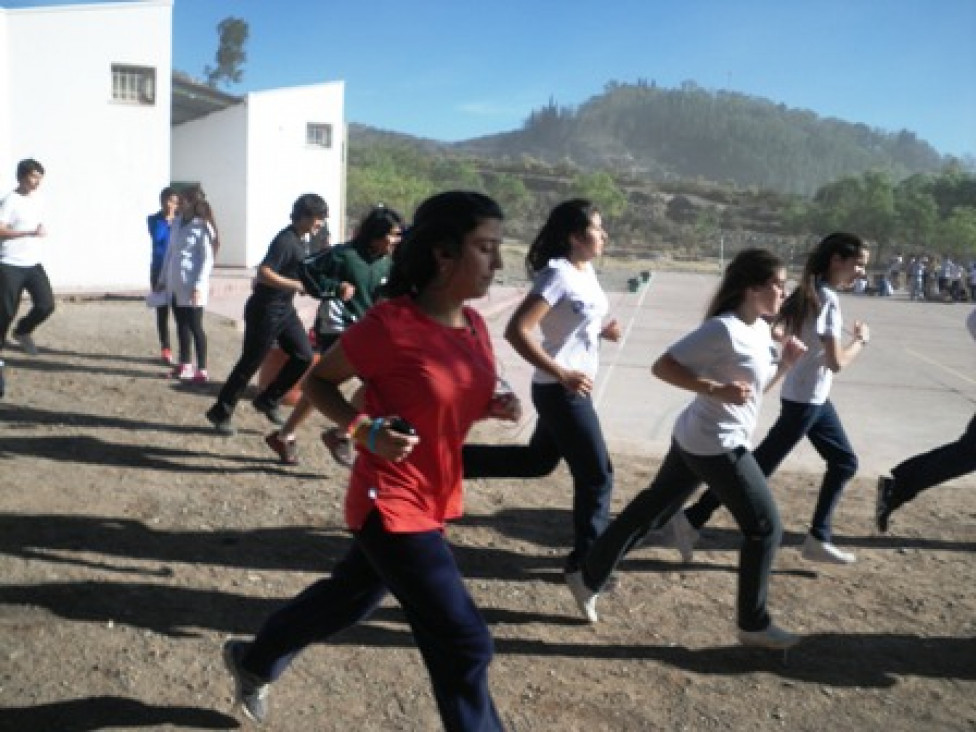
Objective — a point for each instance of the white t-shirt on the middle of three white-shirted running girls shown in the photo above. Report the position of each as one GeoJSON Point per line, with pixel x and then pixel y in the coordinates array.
{"type": "Point", "coordinates": [724, 349]}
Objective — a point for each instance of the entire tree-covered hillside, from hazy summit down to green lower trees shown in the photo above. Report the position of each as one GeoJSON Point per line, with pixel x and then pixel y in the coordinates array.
{"type": "Point", "coordinates": [689, 172]}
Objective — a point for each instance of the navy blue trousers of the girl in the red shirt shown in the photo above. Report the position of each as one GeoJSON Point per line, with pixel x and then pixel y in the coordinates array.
{"type": "Point", "coordinates": [419, 569]}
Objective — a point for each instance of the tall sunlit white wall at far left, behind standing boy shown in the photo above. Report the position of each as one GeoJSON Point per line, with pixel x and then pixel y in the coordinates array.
{"type": "Point", "coordinates": [106, 161]}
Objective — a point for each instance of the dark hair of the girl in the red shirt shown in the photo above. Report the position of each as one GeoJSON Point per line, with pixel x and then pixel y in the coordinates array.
{"type": "Point", "coordinates": [440, 224]}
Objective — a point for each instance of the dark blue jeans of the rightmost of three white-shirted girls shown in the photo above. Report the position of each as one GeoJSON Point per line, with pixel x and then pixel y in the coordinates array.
{"type": "Point", "coordinates": [820, 424]}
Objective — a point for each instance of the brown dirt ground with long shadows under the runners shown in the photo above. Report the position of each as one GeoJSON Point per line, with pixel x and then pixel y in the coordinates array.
{"type": "Point", "coordinates": [135, 541]}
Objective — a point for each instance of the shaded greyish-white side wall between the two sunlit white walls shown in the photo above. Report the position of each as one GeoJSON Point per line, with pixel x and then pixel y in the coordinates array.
{"type": "Point", "coordinates": [212, 151]}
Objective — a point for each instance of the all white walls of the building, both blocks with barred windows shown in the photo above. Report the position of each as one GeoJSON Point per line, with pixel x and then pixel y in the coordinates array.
{"type": "Point", "coordinates": [106, 160]}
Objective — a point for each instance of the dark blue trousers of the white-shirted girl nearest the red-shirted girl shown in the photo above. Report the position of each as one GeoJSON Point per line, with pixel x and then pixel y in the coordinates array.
{"type": "Point", "coordinates": [568, 428]}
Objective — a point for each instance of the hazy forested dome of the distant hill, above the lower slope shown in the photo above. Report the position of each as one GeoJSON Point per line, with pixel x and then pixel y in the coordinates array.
{"type": "Point", "coordinates": [721, 137]}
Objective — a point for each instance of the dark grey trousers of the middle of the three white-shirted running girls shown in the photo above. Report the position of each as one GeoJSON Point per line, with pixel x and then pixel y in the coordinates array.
{"type": "Point", "coordinates": [737, 480]}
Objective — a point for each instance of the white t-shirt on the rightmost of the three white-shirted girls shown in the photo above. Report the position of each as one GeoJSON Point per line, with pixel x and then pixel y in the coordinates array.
{"type": "Point", "coordinates": [809, 381]}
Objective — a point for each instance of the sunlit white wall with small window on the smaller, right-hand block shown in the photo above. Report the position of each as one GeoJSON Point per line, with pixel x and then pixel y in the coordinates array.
{"type": "Point", "coordinates": [282, 165]}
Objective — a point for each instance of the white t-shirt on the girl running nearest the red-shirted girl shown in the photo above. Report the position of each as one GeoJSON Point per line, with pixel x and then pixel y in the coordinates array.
{"type": "Point", "coordinates": [571, 328]}
